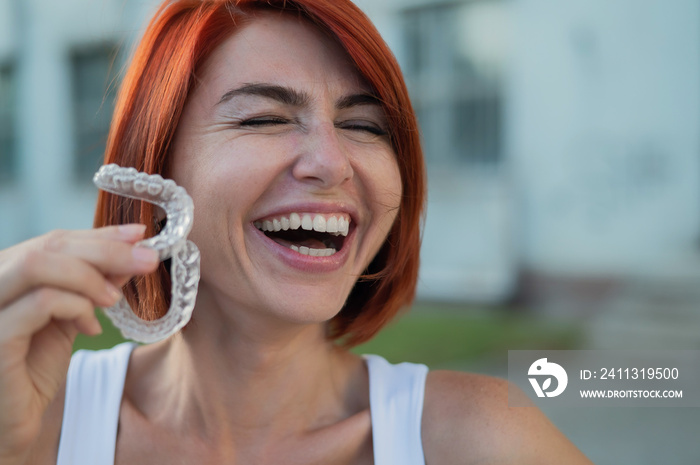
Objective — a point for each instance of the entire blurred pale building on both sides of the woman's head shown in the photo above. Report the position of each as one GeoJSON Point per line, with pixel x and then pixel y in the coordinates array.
{"type": "Point", "coordinates": [562, 138]}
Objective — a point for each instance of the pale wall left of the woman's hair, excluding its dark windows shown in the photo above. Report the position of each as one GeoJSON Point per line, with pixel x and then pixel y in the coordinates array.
{"type": "Point", "coordinates": [46, 194]}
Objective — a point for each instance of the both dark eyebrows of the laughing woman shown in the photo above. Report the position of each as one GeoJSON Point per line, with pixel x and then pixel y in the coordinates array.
{"type": "Point", "coordinates": [292, 97]}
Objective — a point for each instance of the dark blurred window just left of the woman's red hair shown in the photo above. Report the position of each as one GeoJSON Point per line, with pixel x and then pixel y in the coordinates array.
{"type": "Point", "coordinates": [93, 72]}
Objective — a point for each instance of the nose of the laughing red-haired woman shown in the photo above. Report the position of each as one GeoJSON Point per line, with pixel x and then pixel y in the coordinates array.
{"type": "Point", "coordinates": [323, 160]}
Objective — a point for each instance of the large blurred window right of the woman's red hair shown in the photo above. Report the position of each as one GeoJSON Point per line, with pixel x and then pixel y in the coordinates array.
{"type": "Point", "coordinates": [454, 64]}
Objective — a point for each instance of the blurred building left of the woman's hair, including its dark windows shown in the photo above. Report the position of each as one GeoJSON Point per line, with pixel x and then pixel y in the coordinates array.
{"type": "Point", "coordinates": [57, 65]}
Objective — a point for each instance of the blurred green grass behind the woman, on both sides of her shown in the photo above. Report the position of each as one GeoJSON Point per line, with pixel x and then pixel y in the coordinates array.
{"type": "Point", "coordinates": [437, 334]}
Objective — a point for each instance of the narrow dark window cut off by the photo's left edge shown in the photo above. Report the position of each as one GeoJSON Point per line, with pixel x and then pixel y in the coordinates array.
{"type": "Point", "coordinates": [8, 139]}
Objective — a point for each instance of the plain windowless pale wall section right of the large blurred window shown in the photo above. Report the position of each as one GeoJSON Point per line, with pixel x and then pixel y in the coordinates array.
{"type": "Point", "coordinates": [603, 123]}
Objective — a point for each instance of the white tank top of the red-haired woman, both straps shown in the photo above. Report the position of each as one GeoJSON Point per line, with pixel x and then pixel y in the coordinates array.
{"type": "Point", "coordinates": [96, 382]}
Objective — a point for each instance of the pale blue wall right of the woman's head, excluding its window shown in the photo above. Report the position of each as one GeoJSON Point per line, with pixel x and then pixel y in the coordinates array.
{"type": "Point", "coordinates": [602, 147]}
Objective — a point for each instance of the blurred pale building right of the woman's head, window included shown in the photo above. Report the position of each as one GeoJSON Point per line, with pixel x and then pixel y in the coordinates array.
{"type": "Point", "coordinates": [562, 139]}
